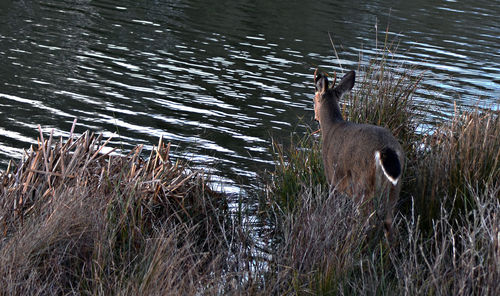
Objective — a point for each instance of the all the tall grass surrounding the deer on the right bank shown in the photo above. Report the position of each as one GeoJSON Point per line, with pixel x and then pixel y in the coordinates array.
{"type": "Point", "coordinates": [449, 233]}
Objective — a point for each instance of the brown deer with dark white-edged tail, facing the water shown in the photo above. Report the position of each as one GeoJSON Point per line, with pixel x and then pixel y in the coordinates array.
{"type": "Point", "coordinates": [363, 161]}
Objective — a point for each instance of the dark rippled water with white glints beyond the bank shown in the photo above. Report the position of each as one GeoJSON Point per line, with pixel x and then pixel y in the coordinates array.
{"type": "Point", "coordinates": [217, 78]}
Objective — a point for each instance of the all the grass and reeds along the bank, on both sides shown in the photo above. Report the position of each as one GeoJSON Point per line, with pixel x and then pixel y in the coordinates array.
{"type": "Point", "coordinates": [76, 218]}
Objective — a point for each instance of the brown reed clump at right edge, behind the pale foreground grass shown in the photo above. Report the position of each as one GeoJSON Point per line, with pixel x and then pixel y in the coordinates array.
{"type": "Point", "coordinates": [461, 152]}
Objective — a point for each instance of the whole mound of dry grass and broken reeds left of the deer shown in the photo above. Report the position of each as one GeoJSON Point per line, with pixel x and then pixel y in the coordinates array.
{"type": "Point", "coordinates": [75, 220]}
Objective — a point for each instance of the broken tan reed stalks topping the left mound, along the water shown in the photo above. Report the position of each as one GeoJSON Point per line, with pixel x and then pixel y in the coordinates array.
{"type": "Point", "coordinates": [81, 161]}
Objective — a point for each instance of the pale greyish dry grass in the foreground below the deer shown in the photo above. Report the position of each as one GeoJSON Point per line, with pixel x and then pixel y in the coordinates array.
{"type": "Point", "coordinates": [324, 249]}
